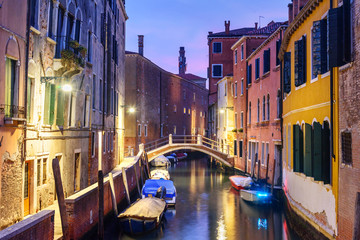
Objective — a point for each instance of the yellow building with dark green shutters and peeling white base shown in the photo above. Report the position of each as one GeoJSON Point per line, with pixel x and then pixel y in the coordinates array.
{"type": "Point", "coordinates": [310, 126]}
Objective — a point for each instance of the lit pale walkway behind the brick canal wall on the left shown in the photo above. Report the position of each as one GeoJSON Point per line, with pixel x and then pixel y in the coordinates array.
{"type": "Point", "coordinates": [58, 233]}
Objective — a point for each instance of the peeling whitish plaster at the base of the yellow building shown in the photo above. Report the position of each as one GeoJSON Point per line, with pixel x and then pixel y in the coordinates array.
{"type": "Point", "coordinates": [321, 204]}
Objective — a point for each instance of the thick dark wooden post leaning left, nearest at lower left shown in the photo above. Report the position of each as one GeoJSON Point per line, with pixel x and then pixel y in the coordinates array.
{"type": "Point", "coordinates": [61, 198]}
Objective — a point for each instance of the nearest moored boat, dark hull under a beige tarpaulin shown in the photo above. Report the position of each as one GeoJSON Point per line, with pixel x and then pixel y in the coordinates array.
{"type": "Point", "coordinates": [142, 216]}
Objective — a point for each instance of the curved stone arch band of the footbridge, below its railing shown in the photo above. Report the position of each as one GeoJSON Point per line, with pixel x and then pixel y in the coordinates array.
{"type": "Point", "coordinates": [222, 157]}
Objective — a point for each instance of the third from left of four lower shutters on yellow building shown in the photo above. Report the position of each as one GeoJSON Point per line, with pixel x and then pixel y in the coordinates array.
{"type": "Point", "coordinates": [317, 153]}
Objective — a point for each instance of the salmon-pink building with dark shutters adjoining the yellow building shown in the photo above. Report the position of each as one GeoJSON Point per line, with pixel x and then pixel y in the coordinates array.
{"type": "Point", "coordinates": [264, 99]}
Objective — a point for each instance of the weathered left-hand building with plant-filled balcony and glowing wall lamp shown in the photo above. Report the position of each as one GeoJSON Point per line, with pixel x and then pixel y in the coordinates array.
{"type": "Point", "coordinates": [76, 48]}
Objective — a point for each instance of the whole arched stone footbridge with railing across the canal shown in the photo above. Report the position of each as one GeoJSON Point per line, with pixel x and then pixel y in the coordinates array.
{"type": "Point", "coordinates": [199, 143]}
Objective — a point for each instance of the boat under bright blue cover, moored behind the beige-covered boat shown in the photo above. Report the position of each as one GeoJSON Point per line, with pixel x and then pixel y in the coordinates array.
{"type": "Point", "coordinates": [152, 185]}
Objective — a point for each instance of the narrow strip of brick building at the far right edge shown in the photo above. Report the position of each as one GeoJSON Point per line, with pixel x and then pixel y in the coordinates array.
{"type": "Point", "coordinates": [349, 132]}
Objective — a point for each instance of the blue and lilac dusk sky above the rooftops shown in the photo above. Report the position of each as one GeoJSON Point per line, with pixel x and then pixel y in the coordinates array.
{"type": "Point", "coordinates": [169, 24]}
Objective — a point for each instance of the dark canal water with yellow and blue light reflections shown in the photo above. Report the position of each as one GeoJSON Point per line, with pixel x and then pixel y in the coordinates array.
{"type": "Point", "coordinates": [208, 208]}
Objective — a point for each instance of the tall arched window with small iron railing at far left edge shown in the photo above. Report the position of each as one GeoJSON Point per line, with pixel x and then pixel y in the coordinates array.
{"type": "Point", "coordinates": [11, 86]}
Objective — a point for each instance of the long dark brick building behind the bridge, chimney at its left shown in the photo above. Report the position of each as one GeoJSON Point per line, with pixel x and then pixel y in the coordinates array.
{"type": "Point", "coordinates": [164, 103]}
